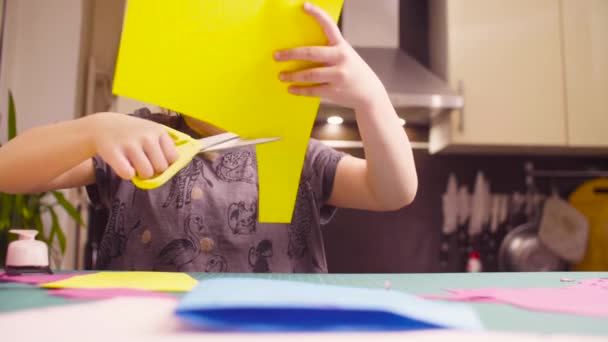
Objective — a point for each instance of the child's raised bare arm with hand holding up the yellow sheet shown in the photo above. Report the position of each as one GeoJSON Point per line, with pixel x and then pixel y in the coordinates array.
{"type": "Point", "coordinates": [386, 179]}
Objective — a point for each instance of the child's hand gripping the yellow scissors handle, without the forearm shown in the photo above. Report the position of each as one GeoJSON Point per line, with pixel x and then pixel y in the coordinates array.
{"type": "Point", "coordinates": [132, 145]}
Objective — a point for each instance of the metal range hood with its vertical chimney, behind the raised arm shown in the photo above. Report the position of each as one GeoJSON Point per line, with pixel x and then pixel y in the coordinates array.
{"type": "Point", "coordinates": [383, 32]}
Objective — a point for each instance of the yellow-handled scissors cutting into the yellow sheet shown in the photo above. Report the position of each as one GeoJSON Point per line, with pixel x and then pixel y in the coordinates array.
{"type": "Point", "coordinates": [188, 147]}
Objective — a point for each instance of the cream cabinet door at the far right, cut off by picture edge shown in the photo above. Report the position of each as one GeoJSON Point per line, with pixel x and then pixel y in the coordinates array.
{"type": "Point", "coordinates": [585, 27]}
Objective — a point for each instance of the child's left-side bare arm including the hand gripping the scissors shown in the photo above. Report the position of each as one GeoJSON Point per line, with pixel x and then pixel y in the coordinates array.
{"type": "Point", "coordinates": [59, 155]}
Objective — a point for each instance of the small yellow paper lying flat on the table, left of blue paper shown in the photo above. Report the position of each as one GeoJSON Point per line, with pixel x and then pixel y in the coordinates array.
{"type": "Point", "coordinates": [152, 281]}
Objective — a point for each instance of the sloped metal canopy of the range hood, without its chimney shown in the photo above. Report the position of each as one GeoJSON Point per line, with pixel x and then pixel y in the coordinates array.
{"type": "Point", "coordinates": [416, 92]}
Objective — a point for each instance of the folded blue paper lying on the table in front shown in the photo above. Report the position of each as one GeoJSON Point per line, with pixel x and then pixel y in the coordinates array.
{"type": "Point", "coordinates": [247, 304]}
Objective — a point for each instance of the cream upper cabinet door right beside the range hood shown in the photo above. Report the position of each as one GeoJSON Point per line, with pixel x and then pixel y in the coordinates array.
{"type": "Point", "coordinates": [507, 55]}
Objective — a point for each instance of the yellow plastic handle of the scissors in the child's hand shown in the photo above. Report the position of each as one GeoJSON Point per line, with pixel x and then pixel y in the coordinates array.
{"type": "Point", "coordinates": [187, 147]}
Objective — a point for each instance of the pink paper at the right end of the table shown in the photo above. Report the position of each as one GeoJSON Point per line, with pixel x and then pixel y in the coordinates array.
{"type": "Point", "coordinates": [588, 298]}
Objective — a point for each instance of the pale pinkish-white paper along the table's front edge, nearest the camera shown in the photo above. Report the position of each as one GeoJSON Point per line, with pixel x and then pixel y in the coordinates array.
{"type": "Point", "coordinates": [153, 320]}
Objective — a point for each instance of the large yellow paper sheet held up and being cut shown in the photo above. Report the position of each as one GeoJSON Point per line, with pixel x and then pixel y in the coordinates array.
{"type": "Point", "coordinates": [213, 60]}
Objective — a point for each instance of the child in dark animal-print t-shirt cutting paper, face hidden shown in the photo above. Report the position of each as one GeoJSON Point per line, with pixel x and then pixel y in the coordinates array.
{"type": "Point", "coordinates": [205, 218]}
